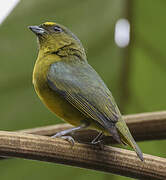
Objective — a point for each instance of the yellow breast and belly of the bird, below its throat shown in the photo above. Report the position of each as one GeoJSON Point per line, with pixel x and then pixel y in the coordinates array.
{"type": "Point", "coordinates": [54, 101]}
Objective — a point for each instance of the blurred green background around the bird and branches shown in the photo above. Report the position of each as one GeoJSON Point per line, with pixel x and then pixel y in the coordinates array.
{"type": "Point", "coordinates": [136, 75]}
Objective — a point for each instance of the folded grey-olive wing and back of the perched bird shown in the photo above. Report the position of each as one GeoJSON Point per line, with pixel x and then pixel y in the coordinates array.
{"type": "Point", "coordinates": [81, 86]}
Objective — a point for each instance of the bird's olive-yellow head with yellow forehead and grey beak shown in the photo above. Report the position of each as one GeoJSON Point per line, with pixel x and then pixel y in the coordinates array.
{"type": "Point", "coordinates": [57, 39]}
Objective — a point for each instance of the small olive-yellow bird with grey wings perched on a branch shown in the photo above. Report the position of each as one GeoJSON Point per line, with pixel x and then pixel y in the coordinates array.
{"type": "Point", "coordinates": [70, 87]}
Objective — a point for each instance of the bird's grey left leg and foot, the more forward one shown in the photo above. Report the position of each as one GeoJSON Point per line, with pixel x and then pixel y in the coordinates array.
{"type": "Point", "coordinates": [67, 131]}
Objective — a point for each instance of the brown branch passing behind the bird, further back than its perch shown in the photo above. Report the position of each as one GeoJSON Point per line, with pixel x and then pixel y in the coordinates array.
{"type": "Point", "coordinates": [145, 126]}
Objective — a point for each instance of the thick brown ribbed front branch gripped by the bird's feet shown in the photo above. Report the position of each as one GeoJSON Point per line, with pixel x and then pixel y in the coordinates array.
{"type": "Point", "coordinates": [112, 160]}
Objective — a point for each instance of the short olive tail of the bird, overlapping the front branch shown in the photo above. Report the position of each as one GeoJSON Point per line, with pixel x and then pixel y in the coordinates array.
{"type": "Point", "coordinates": [127, 138]}
